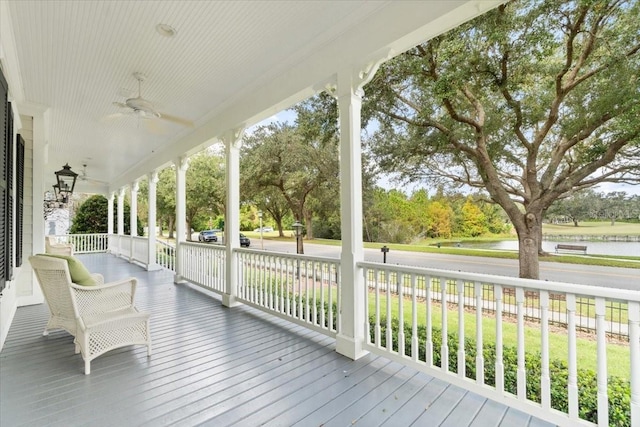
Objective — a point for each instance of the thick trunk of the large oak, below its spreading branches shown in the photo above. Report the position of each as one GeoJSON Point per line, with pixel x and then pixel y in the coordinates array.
{"type": "Point", "coordinates": [529, 240]}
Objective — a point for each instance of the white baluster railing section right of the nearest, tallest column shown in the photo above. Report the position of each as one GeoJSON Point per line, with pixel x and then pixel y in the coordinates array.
{"type": "Point", "coordinates": [411, 310]}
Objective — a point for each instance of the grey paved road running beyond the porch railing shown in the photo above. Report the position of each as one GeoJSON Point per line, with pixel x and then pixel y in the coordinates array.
{"type": "Point", "coordinates": [610, 277]}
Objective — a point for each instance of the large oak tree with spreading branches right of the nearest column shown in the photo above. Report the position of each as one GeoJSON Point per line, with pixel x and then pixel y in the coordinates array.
{"type": "Point", "coordinates": [529, 102]}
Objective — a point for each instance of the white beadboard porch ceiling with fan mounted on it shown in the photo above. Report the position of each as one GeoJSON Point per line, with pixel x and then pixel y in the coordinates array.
{"type": "Point", "coordinates": [232, 63]}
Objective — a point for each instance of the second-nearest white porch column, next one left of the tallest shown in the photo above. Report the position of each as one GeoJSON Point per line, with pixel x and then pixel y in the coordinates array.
{"type": "Point", "coordinates": [232, 142]}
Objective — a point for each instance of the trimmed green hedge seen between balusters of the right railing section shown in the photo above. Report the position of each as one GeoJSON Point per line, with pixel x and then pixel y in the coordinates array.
{"type": "Point", "coordinates": [619, 389]}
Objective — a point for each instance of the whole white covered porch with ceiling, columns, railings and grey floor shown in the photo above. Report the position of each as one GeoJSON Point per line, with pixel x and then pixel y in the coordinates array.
{"type": "Point", "coordinates": [275, 339]}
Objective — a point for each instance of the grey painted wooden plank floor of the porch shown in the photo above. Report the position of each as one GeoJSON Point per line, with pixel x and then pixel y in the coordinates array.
{"type": "Point", "coordinates": [216, 366]}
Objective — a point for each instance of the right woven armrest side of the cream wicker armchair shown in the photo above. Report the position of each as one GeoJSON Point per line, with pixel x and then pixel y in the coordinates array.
{"type": "Point", "coordinates": [104, 298]}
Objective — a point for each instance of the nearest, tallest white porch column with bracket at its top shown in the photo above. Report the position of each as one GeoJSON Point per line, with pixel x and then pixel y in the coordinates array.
{"type": "Point", "coordinates": [351, 333]}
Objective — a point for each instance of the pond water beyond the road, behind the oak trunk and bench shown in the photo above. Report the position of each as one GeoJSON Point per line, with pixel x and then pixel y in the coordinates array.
{"type": "Point", "coordinates": [593, 248]}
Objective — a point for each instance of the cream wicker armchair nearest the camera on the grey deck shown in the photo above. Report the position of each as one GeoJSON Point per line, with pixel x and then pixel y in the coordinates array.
{"type": "Point", "coordinates": [101, 317]}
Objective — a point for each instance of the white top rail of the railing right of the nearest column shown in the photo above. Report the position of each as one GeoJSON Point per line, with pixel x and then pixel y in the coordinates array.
{"type": "Point", "coordinates": [545, 285]}
